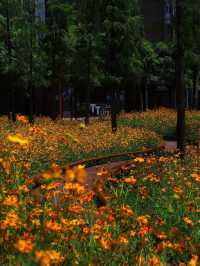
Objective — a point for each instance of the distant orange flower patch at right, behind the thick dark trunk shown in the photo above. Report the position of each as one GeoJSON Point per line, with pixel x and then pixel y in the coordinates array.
{"type": "Point", "coordinates": [163, 122]}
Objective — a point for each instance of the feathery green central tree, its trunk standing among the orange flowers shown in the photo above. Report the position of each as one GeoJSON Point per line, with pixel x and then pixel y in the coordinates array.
{"type": "Point", "coordinates": [120, 21]}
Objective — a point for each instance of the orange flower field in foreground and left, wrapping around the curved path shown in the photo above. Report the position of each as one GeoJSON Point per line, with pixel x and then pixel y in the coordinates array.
{"type": "Point", "coordinates": [152, 215]}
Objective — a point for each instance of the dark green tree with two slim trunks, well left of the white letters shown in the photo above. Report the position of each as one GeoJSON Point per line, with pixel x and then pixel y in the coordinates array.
{"type": "Point", "coordinates": [60, 18]}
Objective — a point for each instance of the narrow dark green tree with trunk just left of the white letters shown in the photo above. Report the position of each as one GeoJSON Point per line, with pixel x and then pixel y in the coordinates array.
{"type": "Point", "coordinates": [86, 56]}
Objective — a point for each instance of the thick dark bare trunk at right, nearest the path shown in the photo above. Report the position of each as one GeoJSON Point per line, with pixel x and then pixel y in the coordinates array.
{"type": "Point", "coordinates": [180, 78]}
